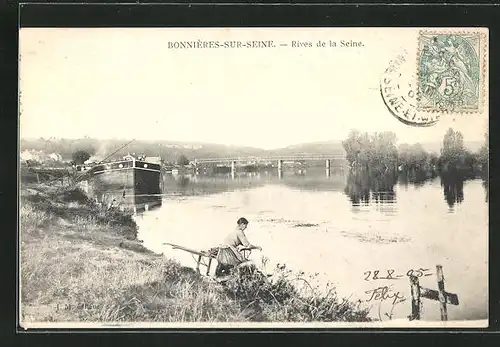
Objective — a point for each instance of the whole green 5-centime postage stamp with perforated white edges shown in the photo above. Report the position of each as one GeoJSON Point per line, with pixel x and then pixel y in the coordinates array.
{"type": "Point", "coordinates": [451, 71]}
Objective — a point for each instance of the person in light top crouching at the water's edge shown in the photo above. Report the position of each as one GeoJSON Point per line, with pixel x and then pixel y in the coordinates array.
{"type": "Point", "coordinates": [230, 254]}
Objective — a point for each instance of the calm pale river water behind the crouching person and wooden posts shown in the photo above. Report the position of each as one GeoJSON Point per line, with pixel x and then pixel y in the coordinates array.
{"type": "Point", "coordinates": [344, 228]}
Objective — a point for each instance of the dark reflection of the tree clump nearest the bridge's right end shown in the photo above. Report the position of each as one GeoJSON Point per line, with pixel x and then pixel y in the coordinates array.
{"type": "Point", "coordinates": [363, 187]}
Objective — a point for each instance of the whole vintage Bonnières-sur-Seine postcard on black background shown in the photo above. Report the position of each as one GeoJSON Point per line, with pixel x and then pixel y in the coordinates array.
{"type": "Point", "coordinates": [253, 178]}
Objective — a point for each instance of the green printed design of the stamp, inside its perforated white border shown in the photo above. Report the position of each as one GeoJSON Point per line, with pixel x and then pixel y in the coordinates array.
{"type": "Point", "coordinates": [449, 72]}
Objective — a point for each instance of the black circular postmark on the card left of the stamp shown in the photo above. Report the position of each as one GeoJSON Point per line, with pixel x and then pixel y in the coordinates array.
{"type": "Point", "coordinates": [400, 95]}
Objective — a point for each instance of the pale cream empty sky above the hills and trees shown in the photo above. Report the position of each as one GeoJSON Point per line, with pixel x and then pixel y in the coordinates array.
{"type": "Point", "coordinates": [127, 83]}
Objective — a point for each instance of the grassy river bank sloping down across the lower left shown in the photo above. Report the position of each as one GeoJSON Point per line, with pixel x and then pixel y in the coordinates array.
{"type": "Point", "coordinates": [80, 262]}
